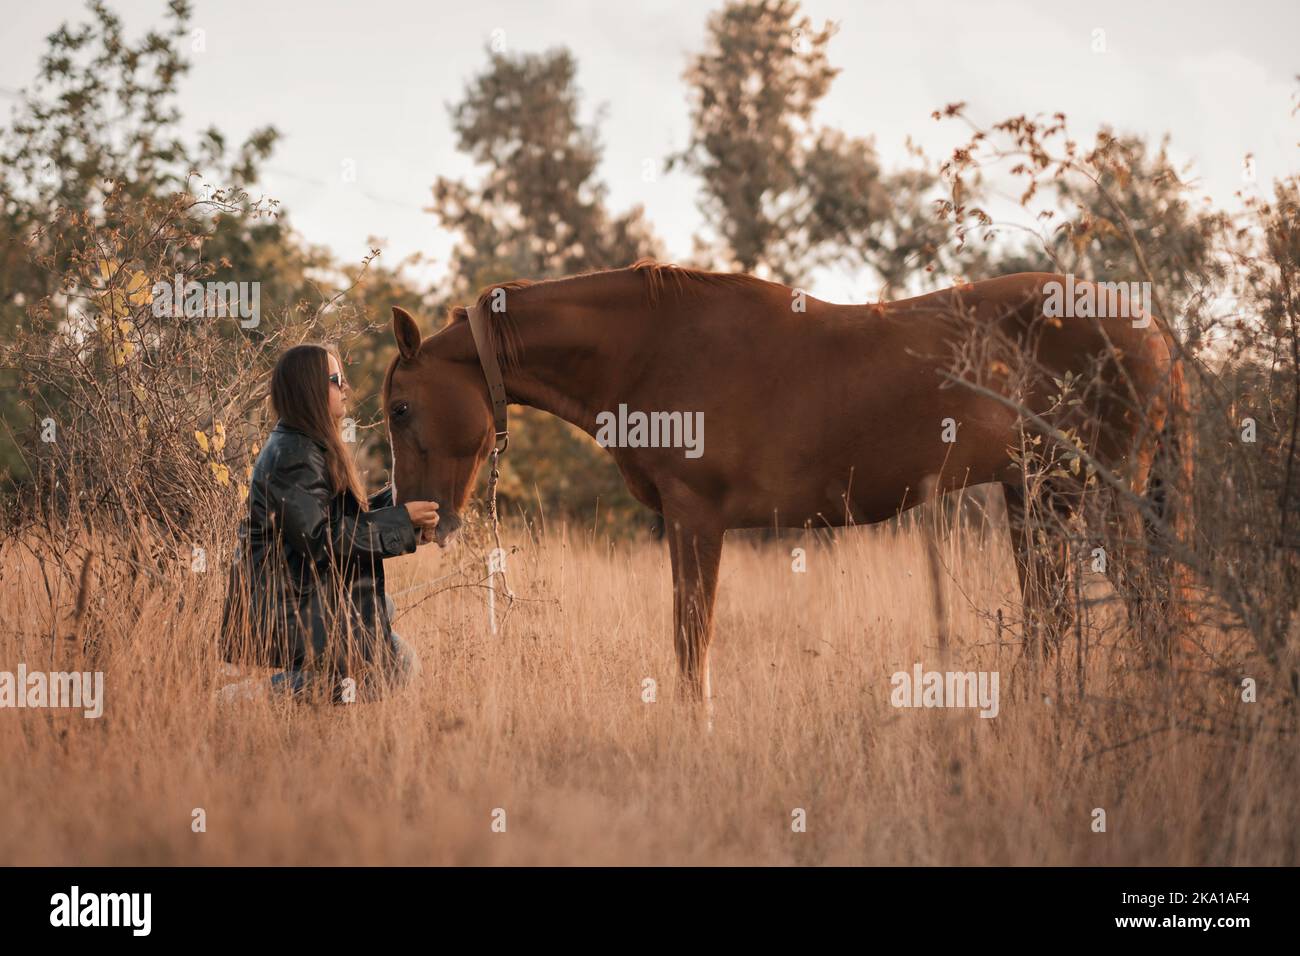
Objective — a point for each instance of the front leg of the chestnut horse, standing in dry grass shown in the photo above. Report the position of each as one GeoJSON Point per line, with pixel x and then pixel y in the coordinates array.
{"type": "Point", "coordinates": [696, 556]}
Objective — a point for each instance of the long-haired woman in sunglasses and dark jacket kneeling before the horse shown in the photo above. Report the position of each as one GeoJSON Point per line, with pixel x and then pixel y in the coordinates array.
{"type": "Point", "coordinates": [306, 590]}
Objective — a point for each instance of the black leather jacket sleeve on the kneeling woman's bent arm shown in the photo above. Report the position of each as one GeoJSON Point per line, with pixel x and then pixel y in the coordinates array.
{"type": "Point", "coordinates": [300, 495]}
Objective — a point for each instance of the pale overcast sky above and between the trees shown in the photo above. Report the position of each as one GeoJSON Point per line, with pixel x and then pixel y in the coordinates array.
{"type": "Point", "coordinates": [369, 84]}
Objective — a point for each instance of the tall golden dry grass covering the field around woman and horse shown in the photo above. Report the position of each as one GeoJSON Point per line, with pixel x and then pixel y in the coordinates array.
{"type": "Point", "coordinates": [548, 723]}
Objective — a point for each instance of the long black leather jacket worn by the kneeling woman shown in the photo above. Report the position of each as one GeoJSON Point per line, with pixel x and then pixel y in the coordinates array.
{"type": "Point", "coordinates": [307, 579]}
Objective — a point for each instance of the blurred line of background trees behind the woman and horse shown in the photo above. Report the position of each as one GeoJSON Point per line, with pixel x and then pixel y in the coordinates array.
{"type": "Point", "coordinates": [781, 196]}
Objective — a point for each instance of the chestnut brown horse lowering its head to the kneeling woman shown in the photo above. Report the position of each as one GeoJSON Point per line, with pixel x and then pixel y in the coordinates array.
{"type": "Point", "coordinates": [813, 413]}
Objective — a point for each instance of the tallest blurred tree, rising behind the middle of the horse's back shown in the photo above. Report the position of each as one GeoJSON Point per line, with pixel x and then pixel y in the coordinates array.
{"type": "Point", "coordinates": [783, 196]}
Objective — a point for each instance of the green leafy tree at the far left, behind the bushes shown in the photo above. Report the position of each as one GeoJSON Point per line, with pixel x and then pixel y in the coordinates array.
{"type": "Point", "coordinates": [102, 122]}
